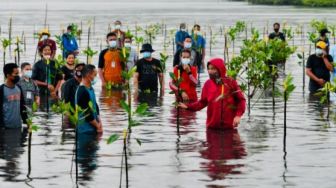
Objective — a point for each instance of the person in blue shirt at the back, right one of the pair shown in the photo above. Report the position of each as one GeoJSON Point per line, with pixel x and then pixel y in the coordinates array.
{"type": "Point", "coordinates": [199, 44]}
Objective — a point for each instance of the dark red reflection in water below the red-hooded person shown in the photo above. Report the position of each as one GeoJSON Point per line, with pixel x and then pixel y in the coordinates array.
{"type": "Point", "coordinates": [221, 147]}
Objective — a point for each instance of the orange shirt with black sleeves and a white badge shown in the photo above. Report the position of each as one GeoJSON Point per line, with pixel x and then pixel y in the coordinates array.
{"type": "Point", "coordinates": [110, 62]}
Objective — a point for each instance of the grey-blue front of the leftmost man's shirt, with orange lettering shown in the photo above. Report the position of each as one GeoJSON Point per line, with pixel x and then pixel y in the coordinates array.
{"type": "Point", "coordinates": [11, 107]}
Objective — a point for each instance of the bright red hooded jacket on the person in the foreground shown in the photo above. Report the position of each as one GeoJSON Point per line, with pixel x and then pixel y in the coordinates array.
{"type": "Point", "coordinates": [221, 111]}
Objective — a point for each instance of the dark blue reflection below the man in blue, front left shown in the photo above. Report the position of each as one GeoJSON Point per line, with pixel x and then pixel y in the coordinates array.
{"type": "Point", "coordinates": [87, 154]}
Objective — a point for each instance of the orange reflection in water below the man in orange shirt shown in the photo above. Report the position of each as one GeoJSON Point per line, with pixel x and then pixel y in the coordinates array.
{"type": "Point", "coordinates": [112, 98]}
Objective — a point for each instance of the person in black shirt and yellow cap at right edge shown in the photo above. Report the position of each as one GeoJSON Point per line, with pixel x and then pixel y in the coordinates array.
{"type": "Point", "coordinates": [318, 67]}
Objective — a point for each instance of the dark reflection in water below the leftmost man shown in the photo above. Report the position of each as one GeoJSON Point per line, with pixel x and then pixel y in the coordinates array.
{"type": "Point", "coordinates": [11, 147]}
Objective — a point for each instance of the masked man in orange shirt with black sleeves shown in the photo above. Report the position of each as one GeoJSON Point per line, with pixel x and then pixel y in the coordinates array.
{"type": "Point", "coordinates": [110, 64]}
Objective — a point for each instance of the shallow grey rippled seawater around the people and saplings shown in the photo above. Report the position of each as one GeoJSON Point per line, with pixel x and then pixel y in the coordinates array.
{"type": "Point", "coordinates": [251, 156]}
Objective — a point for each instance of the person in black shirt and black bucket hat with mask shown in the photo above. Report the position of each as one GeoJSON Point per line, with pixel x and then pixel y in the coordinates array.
{"type": "Point", "coordinates": [149, 71]}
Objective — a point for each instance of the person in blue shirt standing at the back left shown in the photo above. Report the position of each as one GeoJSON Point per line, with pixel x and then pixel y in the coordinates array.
{"type": "Point", "coordinates": [69, 42]}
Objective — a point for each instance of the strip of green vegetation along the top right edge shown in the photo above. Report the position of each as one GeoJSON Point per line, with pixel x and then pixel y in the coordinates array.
{"type": "Point", "coordinates": [310, 3]}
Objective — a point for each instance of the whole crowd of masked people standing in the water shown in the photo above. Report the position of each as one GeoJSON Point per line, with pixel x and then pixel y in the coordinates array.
{"type": "Point", "coordinates": [44, 82]}
